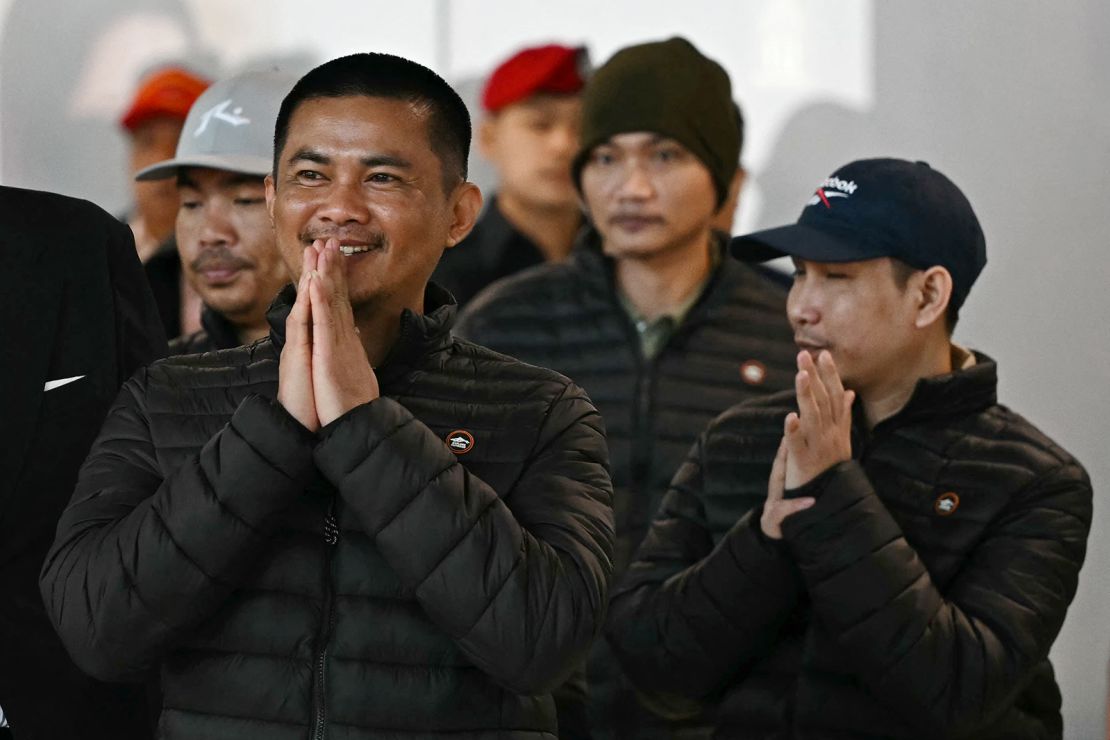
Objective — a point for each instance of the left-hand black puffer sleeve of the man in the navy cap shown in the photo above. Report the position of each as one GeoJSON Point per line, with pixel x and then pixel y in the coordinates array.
{"type": "Point", "coordinates": [689, 616]}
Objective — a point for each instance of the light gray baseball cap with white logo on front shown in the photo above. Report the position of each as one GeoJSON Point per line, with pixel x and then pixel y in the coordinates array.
{"type": "Point", "coordinates": [231, 127]}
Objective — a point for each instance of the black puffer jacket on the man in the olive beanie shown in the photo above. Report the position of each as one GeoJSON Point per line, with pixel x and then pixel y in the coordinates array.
{"type": "Point", "coordinates": [733, 346]}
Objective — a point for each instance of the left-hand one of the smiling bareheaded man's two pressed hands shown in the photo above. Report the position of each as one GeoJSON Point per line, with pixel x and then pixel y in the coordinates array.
{"type": "Point", "coordinates": [295, 372]}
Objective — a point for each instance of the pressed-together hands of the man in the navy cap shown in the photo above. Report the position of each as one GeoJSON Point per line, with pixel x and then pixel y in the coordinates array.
{"type": "Point", "coordinates": [815, 439]}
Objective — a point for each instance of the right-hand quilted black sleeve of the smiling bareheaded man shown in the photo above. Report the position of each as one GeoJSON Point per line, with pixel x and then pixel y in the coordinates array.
{"type": "Point", "coordinates": [520, 583]}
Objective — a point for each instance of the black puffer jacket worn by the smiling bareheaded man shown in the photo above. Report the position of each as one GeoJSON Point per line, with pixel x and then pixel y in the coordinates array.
{"type": "Point", "coordinates": [430, 566]}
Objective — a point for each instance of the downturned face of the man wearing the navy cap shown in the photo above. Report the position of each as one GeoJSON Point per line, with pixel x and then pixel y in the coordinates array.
{"type": "Point", "coordinates": [862, 316]}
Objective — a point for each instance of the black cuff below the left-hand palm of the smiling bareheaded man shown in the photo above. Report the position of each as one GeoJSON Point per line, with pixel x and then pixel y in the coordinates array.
{"type": "Point", "coordinates": [281, 440]}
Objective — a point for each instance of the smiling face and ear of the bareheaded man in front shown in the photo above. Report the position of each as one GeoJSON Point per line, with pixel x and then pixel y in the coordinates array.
{"type": "Point", "coordinates": [362, 170]}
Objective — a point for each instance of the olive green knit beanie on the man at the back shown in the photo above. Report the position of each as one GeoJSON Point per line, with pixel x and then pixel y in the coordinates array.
{"type": "Point", "coordinates": [668, 88]}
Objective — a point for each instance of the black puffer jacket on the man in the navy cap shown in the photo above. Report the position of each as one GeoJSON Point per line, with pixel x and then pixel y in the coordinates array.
{"type": "Point", "coordinates": [919, 599]}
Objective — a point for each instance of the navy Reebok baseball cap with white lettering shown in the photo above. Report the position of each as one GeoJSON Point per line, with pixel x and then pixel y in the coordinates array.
{"type": "Point", "coordinates": [882, 208]}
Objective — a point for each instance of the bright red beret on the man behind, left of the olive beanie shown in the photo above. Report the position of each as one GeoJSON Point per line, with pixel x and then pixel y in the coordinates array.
{"type": "Point", "coordinates": [541, 69]}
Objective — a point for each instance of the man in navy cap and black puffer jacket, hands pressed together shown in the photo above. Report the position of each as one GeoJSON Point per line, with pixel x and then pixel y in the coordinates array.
{"type": "Point", "coordinates": [886, 552]}
